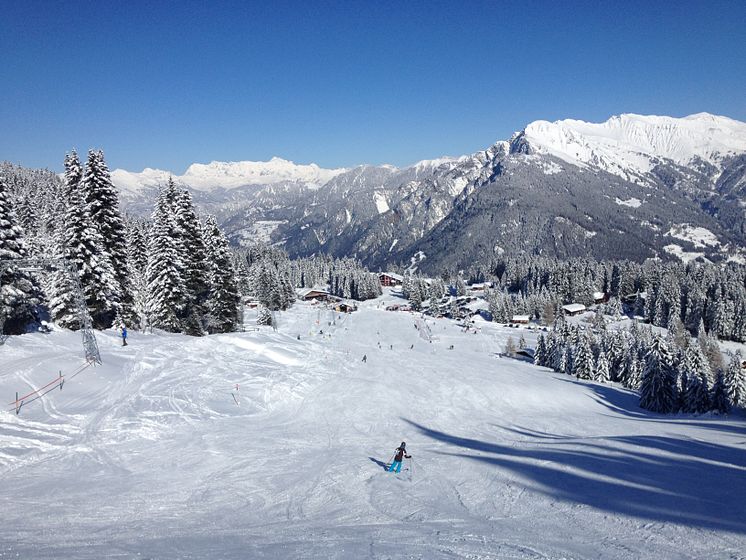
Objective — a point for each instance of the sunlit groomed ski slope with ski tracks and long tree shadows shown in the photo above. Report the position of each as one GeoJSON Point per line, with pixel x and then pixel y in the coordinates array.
{"type": "Point", "coordinates": [150, 456]}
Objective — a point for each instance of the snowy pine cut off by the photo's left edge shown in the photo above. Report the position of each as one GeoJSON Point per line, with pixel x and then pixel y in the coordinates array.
{"type": "Point", "coordinates": [17, 289]}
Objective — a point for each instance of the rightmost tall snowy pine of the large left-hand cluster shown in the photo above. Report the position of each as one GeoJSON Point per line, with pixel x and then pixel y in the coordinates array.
{"type": "Point", "coordinates": [223, 299]}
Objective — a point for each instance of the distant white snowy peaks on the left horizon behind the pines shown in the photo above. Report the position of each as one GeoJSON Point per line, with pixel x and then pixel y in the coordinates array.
{"type": "Point", "coordinates": [229, 175]}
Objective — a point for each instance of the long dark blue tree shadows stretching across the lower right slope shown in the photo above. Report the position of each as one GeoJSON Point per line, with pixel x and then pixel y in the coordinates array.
{"type": "Point", "coordinates": [657, 478]}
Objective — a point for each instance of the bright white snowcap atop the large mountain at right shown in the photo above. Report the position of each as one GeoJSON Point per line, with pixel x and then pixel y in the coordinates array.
{"type": "Point", "coordinates": [634, 143]}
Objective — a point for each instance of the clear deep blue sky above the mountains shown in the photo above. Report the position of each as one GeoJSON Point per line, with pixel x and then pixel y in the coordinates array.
{"type": "Point", "coordinates": [164, 84]}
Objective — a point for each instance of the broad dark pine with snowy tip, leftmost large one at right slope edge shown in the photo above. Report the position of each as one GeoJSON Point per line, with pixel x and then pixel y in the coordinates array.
{"type": "Point", "coordinates": [657, 387]}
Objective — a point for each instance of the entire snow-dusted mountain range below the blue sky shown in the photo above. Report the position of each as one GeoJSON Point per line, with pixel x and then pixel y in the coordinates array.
{"type": "Point", "coordinates": [632, 187]}
